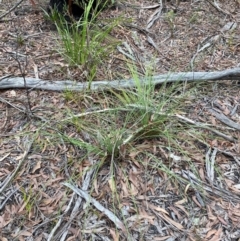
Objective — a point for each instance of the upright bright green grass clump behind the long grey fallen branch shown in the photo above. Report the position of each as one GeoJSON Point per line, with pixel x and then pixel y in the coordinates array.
{"type": "Point", "coordinates": [83, 43]}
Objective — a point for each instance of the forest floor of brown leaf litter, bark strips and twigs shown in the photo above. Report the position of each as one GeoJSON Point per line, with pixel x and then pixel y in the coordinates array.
{"type": "Point", "coordinates": [189, 190]}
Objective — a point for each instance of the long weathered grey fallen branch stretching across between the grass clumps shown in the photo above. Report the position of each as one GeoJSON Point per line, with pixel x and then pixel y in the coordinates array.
{"type": "Point", "coordinates": [60, 85]}
